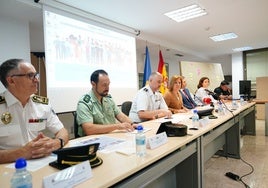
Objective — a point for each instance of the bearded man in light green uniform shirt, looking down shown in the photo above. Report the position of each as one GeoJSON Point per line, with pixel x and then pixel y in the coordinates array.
{"type": "Point", "coordinates": [97, 113]}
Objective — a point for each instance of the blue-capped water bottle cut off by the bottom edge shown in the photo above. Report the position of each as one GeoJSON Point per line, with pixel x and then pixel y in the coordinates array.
{"type": "Point", "coordinates": [21, 178]}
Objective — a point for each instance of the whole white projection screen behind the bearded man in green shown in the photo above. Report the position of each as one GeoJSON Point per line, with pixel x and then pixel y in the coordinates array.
{"type": "Point", "coordinates": [74, 48]}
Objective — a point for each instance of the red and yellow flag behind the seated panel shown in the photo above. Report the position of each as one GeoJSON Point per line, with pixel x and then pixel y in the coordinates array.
{"type": "Point", "coordinates": [162, 70]}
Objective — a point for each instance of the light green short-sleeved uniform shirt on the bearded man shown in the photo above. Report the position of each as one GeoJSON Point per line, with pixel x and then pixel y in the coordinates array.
{"type": "Point", "coordinates": [89, 109]}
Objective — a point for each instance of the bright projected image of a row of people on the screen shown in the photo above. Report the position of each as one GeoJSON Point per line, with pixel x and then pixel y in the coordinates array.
{"type": "Point", "coordinates": [70, 42]}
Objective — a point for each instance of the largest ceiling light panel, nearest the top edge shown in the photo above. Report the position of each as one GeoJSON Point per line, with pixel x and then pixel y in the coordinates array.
{"type": "Point", "coordinates": [186, 13]}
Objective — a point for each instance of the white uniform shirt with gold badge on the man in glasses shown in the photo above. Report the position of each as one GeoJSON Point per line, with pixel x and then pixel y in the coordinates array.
{"type": "Point", "coordinates": [19, 125]}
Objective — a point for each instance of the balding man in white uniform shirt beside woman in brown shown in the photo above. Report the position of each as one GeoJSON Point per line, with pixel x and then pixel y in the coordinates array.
{"type": "Point", "coordinates": [149, 103]}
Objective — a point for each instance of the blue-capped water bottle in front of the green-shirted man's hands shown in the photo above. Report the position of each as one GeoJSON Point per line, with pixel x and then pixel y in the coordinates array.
{"type": "Point", "coordinates": [140, 142]}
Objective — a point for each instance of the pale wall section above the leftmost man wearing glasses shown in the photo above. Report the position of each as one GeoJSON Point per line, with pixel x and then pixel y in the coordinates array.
{"type": "Point", "coordinates": [15, 42]}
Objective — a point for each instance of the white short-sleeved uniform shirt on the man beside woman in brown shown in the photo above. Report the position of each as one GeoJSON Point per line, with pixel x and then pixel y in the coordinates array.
{"type": "Point", "coordinates": [146, 100]}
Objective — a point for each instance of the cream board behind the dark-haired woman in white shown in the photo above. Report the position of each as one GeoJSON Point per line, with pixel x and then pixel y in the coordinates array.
{"type": "Point", "coordinates": [193, 71]}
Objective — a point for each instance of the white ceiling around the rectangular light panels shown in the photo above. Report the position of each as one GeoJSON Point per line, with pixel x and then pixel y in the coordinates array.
{"type": "Point", "coordinates": [246, 18]}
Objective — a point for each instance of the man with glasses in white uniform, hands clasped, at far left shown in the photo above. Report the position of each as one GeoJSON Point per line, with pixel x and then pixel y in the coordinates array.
{"type": "Point", "coordinates": [24, 115]}
